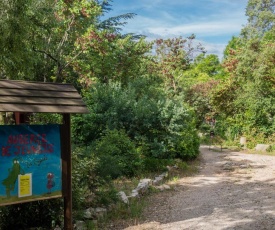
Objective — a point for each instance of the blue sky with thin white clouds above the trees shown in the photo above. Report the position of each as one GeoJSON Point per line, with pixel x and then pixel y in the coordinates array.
{"type": "Point", "coordinates": [214, 22]}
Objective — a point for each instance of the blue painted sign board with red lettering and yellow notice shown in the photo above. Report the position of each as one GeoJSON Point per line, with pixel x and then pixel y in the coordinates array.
{"type": "Point", "coordinates": [30, 163]}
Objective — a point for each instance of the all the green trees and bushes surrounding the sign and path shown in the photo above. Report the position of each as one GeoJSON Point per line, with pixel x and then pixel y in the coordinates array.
{"type": "Point", "coordinates": [148, 101]}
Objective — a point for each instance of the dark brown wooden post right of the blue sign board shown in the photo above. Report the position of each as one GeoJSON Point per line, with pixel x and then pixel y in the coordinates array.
{"type": "Point", "coordinates": [67, 171]}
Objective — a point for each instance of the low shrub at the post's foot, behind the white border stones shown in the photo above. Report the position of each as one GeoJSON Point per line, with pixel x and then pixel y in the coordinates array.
{"type": "Point", "coordinates": [87, 182]}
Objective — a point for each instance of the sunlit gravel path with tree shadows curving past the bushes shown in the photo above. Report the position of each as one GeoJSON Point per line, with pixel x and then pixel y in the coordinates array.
{"type": "Point", "coordinates": [232, 190]}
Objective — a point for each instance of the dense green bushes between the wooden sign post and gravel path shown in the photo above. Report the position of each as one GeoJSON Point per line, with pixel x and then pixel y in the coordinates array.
{"type": "Point", "coordinates": [130, 130]}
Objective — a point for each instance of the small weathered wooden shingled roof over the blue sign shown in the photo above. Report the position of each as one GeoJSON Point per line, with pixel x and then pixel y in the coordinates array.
{"type": "Point", "coordinates": [39, 97]}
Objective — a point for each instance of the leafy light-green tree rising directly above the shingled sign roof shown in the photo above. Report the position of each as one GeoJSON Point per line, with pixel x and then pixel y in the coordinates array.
{"type": "Point", "coordinates": [43, 35]}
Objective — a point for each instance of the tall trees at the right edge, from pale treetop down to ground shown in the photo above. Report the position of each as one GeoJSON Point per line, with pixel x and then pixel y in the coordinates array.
{"type": "Point", "coordinates": [246, 98]}
